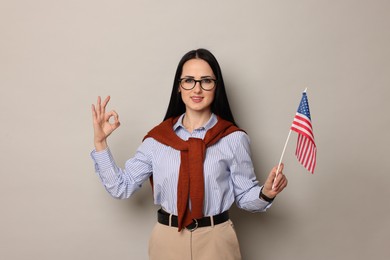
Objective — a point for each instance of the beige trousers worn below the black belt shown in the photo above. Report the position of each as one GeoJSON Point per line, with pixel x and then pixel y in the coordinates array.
{"type": "Point", "coordinates": [214, 243]}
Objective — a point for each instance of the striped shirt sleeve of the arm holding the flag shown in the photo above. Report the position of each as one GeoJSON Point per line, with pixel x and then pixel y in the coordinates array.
{"type": "Point", "coordinates": [246, 186]}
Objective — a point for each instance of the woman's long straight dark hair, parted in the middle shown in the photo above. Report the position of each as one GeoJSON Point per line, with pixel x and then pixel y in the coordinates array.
{"type": "Point", "coordinates": [220, 105]}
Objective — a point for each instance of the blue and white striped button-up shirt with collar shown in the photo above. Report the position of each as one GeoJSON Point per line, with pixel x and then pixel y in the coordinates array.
{"type": "Point", "coordinates": [228, 172]}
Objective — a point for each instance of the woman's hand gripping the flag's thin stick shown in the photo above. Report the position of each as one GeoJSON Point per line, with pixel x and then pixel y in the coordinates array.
{"type": "Point", "coordinates": [275, 183]}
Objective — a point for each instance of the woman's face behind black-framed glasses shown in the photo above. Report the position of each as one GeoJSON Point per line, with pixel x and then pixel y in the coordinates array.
{"type": "Point", "coordinates": [197, 99]}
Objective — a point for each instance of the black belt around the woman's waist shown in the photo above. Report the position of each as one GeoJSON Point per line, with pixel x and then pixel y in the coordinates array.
{"type": "Point", "coordinates": [163, 218]}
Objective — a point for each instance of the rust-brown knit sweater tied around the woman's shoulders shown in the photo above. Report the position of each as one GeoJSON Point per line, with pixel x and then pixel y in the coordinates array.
{"type": "Point", "coordinates": [192, 155]}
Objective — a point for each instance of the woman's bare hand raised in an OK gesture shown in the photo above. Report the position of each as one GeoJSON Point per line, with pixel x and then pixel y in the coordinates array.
{"type": "Point", "coordinates": [101, 123]}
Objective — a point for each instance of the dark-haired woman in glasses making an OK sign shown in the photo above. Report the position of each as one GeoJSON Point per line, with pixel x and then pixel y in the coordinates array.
{"type": "Point", "coordinates": [198, 161]}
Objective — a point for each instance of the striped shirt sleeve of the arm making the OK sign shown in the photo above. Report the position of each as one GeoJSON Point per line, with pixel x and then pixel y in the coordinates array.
{"type": "Point", "coordinates": [122, 183]}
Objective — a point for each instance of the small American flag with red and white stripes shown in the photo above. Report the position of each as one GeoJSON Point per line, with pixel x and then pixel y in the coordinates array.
{"type": "Point", "coordinates": [306, 148]}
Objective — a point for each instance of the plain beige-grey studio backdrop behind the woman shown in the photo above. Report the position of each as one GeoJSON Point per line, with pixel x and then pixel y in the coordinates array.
{"type": "Point", "coordinates": [56, 57]}
